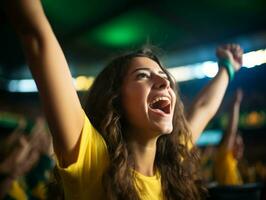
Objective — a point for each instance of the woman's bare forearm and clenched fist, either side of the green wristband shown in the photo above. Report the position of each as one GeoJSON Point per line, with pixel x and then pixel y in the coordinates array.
{"type": "Point", "coordinates": [210, 97]}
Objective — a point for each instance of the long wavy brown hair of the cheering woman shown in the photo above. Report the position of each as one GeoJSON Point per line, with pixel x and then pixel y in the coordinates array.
{"type": "Point", "coordinates": [174, 160]}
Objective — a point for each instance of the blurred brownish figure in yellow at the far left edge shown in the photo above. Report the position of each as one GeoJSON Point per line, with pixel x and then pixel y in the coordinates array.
{"type": "Point", "coordinates": [17, 158]}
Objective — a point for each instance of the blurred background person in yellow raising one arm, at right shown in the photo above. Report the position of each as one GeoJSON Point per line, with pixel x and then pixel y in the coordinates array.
{"type": "Point", "coordinates": [231, 148]}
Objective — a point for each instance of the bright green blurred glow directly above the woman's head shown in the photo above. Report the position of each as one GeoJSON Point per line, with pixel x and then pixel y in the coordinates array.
{"type": "Point", "coordinates": [131, 29]}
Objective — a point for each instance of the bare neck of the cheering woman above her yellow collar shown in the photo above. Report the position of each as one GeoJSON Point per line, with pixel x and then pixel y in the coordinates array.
{"type": "Point", "coordinates": [143, 153]}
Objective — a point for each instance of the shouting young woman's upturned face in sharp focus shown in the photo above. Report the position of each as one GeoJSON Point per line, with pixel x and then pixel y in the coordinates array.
{"type": "Point", "coordinates": [147, 98]}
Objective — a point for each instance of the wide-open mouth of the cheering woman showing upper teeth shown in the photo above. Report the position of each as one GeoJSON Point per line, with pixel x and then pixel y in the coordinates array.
{"type": "Point", "coordinates": [162, 104]}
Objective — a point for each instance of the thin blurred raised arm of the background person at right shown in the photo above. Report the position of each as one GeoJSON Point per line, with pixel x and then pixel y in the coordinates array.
{"type": "Point", "coordinates": [231, 131]}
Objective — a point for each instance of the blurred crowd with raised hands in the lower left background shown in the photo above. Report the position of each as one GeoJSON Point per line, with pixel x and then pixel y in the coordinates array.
{"type": "Point", "coordinates": [25, 158]}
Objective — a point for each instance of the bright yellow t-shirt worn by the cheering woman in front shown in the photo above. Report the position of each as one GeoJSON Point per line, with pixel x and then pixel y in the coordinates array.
{"type": "Point", "coordinates": [83, 179]}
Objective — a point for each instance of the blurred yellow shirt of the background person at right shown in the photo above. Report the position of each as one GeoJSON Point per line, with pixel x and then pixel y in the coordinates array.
{"type": "Point", "coordinates": [225, 168]}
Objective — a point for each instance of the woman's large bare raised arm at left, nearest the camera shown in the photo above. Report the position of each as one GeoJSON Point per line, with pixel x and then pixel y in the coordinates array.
{"type": "Point", "coordinates": [51, 73]}
